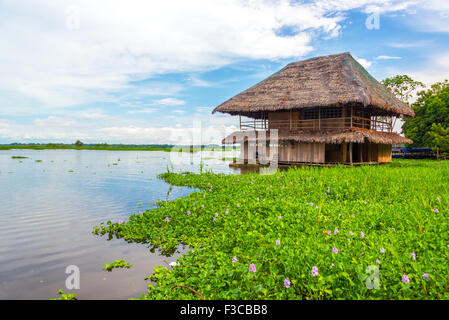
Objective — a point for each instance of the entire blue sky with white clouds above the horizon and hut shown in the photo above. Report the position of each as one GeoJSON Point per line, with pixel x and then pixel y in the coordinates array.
{"type": "Point", "coordinates": [148, 72]}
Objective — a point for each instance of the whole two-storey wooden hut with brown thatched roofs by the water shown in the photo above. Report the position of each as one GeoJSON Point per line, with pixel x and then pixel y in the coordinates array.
{"type": "Point", "coordinates": [326, 110]}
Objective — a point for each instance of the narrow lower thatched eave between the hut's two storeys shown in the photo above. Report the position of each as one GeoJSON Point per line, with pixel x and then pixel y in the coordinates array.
{"type": "Point", "coordinates": [355, 135]}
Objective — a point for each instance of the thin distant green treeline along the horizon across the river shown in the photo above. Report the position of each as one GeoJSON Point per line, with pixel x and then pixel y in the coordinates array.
{"type": "Point", "coordinates": [117, 147]}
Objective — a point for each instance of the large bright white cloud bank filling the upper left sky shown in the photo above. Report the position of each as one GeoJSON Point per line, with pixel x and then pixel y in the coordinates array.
{"type": "Point", "coordinates": [48, 58]}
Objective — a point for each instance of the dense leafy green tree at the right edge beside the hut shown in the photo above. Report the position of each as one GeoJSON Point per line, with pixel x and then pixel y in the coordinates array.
{"type": "Point", "coordinates": [431, 108]}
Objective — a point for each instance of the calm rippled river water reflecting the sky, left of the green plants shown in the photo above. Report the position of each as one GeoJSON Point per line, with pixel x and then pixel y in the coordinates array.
{"type": "Point", "coordinates": [51, 200]}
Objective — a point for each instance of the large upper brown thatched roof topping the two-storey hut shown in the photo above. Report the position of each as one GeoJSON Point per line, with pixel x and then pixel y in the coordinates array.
{"type": "Point", "coordinates": [334, 80]}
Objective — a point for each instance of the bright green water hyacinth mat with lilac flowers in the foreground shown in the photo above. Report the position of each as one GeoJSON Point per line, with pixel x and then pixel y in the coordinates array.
{"type": "Point", "coordinates": [368, 232]}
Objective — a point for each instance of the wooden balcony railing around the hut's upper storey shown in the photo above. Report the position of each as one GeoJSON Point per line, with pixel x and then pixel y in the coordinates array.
{"type": "Point", "coordinates": [317, 124]}
